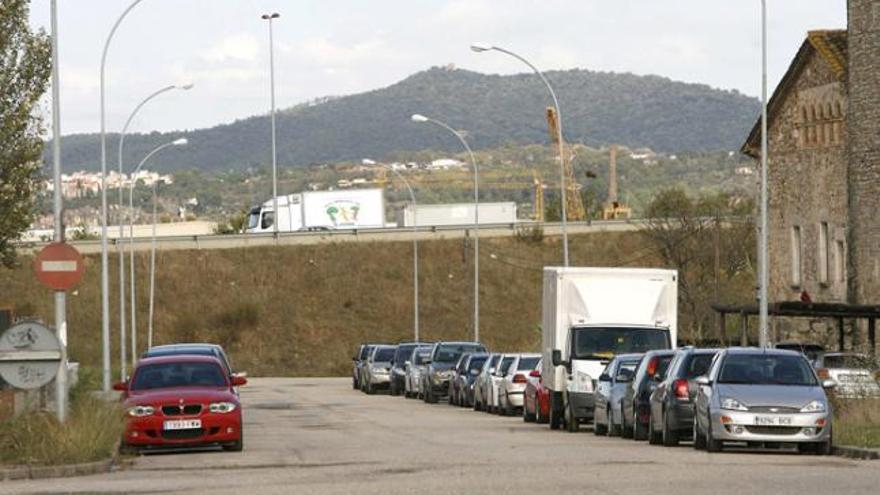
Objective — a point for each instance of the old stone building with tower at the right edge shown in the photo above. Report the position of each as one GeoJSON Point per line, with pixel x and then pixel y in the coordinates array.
{"type": "Point", "coordinates": [824, 171]}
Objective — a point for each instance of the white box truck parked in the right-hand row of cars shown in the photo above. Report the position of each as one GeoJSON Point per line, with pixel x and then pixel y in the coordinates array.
{"type": "Point", "coordinates": [589, 316]}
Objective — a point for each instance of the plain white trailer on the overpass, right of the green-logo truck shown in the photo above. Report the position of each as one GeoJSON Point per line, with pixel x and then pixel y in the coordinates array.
{"type": "Point", "coordinates": [456, 214]}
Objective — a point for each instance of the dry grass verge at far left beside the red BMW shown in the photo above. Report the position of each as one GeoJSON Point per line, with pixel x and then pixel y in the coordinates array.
{"type": "Point", "coordinates": [91, 433]}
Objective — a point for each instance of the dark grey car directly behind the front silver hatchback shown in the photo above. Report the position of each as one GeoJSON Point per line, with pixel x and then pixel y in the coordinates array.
{"type": "Point", "coordinates": [672, 403]}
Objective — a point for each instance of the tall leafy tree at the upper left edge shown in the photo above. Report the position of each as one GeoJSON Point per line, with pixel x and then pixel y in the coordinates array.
{"type": "Point", "coordinates": [25, 67]}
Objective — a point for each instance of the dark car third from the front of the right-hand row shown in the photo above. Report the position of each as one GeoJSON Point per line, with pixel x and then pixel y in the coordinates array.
{"type": "Point", "coordinates": [636, 406]}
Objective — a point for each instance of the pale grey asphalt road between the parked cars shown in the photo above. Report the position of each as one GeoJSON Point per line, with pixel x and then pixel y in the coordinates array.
{"type": "Point", "coordinates": [319, 436]}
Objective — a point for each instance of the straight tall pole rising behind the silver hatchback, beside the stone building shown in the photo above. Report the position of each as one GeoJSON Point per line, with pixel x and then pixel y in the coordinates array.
{"type": "Point", "coordinates": [762, 253]}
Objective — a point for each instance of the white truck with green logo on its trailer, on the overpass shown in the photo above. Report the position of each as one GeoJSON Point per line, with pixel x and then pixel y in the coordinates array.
{"type": "Point", "coordinates": [321, 210]}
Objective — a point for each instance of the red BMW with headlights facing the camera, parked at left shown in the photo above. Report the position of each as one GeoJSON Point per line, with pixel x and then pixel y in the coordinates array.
{"type": "Point", "coordinates": [181, 401]}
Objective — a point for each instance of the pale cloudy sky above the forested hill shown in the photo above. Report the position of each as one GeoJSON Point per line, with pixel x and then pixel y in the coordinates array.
{"type": "Point", "coordinates": [339, 47]}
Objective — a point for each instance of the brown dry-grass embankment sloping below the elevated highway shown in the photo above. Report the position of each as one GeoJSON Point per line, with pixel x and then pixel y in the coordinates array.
{"type": "Point", "coordinates": [302, 310]}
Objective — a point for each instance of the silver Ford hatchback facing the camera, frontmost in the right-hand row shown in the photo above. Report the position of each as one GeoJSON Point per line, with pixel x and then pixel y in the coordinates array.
{"type": "Point", "coordinates": [763, 397]}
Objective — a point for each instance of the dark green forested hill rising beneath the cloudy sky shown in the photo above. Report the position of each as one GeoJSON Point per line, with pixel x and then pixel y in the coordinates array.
{"type": "Point", "coordinates": [597, 108]}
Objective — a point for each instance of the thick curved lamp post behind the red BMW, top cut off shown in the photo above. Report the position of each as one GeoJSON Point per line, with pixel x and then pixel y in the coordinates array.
{"type": "Point", "coordinates": [105, 277]}
